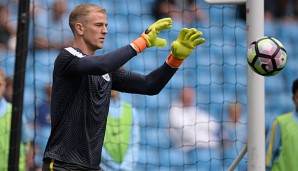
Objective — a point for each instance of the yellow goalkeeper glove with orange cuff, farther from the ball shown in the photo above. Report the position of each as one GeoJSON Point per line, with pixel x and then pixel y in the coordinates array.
{"type": "Point", "coordinates": [149, 36]}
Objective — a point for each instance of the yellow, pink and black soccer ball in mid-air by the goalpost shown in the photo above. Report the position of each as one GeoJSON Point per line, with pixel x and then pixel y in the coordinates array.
{"type": "Point", "coordinates": [266, 56]}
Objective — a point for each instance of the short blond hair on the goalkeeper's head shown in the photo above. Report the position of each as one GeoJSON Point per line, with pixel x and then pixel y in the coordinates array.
{"type": "Point", "coordinates": [80, 13]}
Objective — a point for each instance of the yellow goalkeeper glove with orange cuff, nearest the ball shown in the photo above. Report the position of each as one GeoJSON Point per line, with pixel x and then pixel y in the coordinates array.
{"type": "Point", "coordinates": [181, 48]}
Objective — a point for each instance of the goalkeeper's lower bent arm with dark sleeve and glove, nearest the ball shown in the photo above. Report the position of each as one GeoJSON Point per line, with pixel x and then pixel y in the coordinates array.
{"type": "Point", "coordinates": [154, 82]}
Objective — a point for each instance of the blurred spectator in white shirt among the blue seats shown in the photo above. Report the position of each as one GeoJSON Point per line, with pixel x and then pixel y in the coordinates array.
{"type": "Point", "coordinates": [195, 132]}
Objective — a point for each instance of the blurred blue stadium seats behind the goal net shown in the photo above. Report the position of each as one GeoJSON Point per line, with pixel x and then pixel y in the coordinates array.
{"type": "Point", "coordinates": [216, 69]}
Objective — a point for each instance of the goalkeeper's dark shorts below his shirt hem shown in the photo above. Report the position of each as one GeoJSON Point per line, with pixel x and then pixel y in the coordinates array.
{"type": "Point", "coordinates": [54, 165]}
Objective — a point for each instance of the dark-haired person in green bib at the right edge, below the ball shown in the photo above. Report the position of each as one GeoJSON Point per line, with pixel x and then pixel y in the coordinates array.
{"type": "Point", "coordinates": [281, 141]}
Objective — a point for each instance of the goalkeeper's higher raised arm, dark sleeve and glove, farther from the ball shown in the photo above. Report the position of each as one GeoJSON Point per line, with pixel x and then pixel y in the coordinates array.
{"type": "Point", "coordinates": [111, 61]}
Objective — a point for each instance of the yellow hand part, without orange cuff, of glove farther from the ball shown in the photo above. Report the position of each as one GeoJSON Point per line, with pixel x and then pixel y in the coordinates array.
{"type": "Point", "coordinates": [150, 34]}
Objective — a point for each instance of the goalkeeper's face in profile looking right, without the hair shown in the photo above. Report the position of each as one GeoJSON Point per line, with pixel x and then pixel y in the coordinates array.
{"type": "Point", "coordinates": [95, 30]}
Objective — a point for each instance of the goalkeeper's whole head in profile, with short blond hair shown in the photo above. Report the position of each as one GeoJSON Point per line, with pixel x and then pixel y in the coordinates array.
{"type": "Point", "coordinates": [88, 23]}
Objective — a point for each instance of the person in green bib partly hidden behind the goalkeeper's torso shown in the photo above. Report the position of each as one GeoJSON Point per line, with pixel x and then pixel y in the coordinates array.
{"type": "Point", "coordinates": [121, 143]}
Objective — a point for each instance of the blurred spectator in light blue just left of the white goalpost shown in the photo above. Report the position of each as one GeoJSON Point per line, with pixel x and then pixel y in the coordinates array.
{"type": "Point", "coordinates": [234, 135]}
